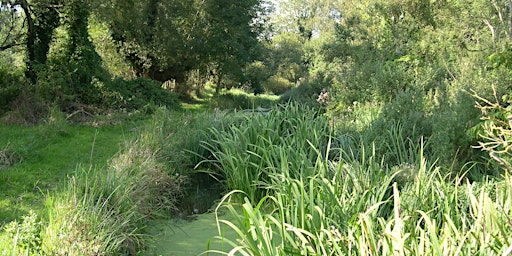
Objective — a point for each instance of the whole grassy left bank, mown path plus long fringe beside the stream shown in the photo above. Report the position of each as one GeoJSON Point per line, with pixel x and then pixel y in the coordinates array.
{"type": "Point", "coordinates": [91, 188]}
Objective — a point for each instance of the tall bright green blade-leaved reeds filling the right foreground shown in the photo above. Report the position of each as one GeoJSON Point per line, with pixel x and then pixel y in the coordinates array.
{"type": "Point", "coordinates": [304, 201]}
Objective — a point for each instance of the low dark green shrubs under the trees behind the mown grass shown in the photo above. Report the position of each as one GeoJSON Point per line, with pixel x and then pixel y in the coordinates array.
{"type": "Point", "coordinates": [66, 87]}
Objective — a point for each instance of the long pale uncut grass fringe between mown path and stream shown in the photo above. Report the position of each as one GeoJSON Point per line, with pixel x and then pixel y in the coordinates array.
{"type": "Point", "coordinates": [103, 211]}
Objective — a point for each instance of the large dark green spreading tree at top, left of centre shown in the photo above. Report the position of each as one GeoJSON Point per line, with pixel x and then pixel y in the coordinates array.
{"type": "Point", "coordinates": [164, 40]}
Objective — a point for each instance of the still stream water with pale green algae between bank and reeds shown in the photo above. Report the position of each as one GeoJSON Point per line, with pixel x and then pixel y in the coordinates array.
{"type": "Point", "coordinates": [194, 229]}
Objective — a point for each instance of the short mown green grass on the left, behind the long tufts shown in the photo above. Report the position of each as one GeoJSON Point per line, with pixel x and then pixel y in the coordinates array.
{"type": "Point", "coordinates": [46, 156]}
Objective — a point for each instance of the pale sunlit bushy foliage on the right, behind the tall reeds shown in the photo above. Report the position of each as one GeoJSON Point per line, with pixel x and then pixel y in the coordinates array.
{"type": "Point", "coordinates": [402, 54]}
